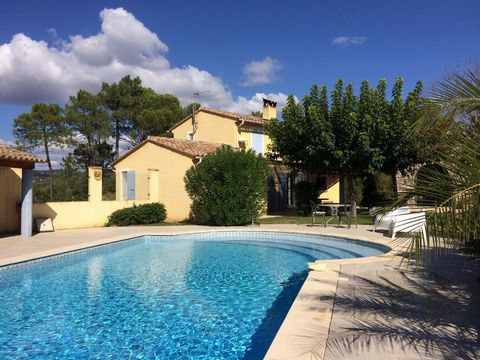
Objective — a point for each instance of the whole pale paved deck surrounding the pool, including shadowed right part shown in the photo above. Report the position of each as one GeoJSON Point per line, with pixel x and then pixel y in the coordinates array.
{"type": "Point", "coordinates": [370, 308]}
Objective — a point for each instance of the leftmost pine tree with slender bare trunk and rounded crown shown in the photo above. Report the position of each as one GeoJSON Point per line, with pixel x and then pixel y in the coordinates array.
{"type": "Point", "coordinates": [42, 127]}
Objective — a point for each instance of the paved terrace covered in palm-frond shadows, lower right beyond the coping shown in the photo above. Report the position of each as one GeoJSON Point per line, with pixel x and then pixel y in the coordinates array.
{"type": "Point", "coordinates": [382, 311]}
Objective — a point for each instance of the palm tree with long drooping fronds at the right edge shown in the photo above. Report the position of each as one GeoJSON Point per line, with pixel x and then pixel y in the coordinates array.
{"type": "Point", "coordinates": [452, 184]}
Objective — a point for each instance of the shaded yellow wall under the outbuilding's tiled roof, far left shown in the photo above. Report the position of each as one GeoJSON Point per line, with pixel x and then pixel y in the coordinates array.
{"type": "Point", "coordinates": [10, 195]}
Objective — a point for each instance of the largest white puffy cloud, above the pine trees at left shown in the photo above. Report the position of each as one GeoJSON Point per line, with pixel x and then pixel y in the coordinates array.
{"type": "Point", "coordinates": [35, 71]}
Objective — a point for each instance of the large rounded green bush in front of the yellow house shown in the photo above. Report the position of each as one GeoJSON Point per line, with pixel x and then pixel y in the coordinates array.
{"type": "Point", "coordinates": [228, 187]}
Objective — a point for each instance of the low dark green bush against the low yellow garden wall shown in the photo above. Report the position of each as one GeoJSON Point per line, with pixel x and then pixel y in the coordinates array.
{"type": "Point", "coordinates": [136, 215]}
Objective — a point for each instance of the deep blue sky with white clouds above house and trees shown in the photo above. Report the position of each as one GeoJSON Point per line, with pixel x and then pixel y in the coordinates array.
{"type": "Point", "coordinates": [233, 52]}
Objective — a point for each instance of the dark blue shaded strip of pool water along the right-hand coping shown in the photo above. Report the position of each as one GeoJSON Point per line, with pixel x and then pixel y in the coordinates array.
{"type": "Point", "coordinates": [265, 333]}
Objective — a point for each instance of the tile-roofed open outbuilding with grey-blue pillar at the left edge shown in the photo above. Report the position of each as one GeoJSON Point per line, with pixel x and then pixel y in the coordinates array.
{"type": "Point", "coordinates": [16, 190]}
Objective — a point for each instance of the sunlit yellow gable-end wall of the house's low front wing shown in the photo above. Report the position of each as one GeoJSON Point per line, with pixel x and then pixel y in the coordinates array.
{"type": "Point", "coordinates": [171, 168]}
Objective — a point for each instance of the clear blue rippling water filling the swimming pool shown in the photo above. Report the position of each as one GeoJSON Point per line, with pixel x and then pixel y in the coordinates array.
{"type": "Point", "coordinates": [197, 296]}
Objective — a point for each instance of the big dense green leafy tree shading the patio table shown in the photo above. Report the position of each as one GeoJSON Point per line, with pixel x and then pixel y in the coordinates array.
{"type": "Point", "coordinates": [350, 136]}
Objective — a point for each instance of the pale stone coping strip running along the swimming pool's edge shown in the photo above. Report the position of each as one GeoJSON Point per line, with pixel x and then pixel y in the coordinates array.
{"type": "Point", "coordinates": [318, 284]}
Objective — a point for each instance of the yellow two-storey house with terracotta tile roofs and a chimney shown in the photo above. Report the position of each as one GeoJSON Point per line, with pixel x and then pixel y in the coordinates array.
{"type": "Point", "coordinates": [154, 169]}
